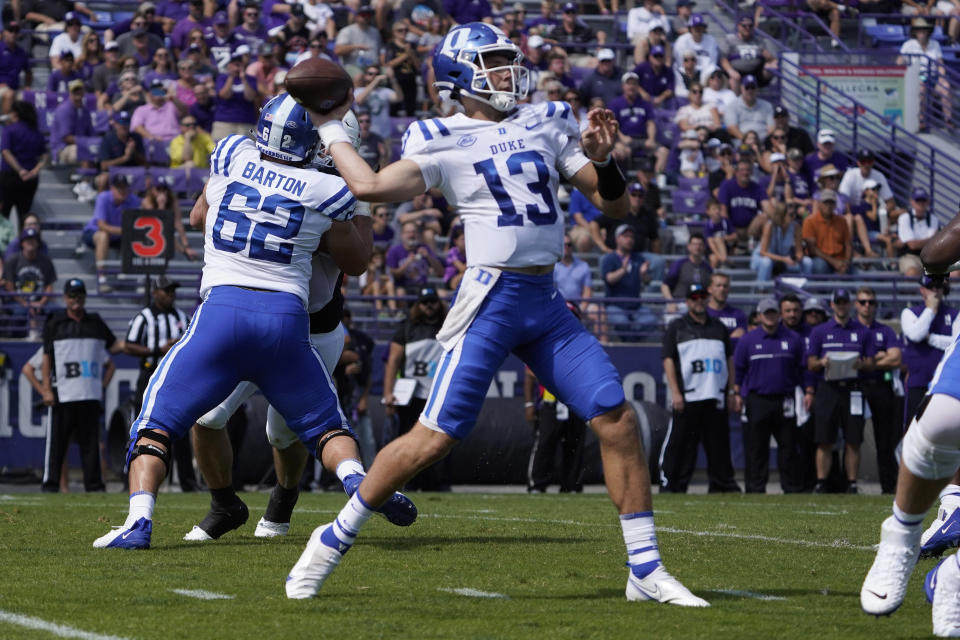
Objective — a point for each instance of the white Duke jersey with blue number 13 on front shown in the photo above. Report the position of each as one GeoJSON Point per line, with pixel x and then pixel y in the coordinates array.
{"type": "Point", "coordinates": [501, 178]}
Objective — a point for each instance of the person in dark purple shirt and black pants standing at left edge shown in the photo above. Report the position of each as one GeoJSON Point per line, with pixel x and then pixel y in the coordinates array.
{"type": "Point", "coordinates": [22, 155]}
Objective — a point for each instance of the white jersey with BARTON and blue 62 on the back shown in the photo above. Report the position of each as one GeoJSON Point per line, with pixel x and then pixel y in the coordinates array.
{"type": "Point", "coordinates": [265, 219]}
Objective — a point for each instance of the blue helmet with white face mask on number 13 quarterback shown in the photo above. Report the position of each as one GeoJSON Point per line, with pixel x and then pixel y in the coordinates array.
{"type": "Point", "coordinates": [459, 65]}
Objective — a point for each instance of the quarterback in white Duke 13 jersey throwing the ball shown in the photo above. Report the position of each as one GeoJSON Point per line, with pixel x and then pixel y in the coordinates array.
{"type": "Point", "coordinates": [498, 165]}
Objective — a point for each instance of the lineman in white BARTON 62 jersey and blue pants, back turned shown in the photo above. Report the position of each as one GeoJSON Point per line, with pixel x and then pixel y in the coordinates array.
{"type": "Point", "coordinates": [271, 215]}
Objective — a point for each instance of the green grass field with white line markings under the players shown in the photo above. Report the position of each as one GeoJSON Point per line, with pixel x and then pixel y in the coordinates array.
{"type": "Point", "coordinates": [772, 566]}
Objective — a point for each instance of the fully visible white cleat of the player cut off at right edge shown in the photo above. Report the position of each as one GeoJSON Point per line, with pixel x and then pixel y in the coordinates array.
{"type": "Point", "coordinates": [886, 583]}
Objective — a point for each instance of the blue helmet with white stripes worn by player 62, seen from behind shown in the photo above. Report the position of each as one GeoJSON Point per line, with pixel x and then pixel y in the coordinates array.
{"type": "Point", "coordinates": [285, 131]}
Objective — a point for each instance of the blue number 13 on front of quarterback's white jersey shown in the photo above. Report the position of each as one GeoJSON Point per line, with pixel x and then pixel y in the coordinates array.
{"type": "Point", "coordinates": [509, 217]}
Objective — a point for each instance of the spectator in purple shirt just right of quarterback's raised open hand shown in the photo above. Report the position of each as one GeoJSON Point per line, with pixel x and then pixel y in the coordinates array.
{"type": "Point", "coordinates": [638, 131]}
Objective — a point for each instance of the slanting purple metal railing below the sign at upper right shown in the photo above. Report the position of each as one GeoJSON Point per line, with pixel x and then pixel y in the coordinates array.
{"type": "Point", "coordinates": [904, 158]}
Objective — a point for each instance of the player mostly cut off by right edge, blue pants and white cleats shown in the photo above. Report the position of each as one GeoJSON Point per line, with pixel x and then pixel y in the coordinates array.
{"type": "Point", "coordinates": [930, 457]}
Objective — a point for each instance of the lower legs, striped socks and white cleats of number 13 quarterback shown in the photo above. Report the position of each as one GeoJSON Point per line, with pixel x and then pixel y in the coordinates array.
{"type": "Point", "coordinates": [627, 481]}
